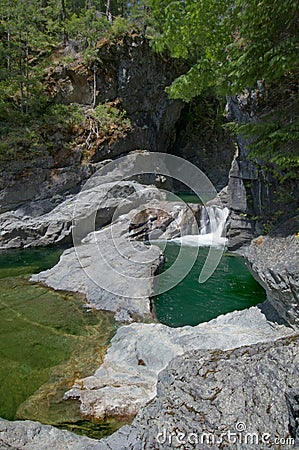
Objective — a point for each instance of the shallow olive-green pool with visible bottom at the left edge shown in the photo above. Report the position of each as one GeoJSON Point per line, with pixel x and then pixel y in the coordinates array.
{"type": "Point", "coordinates": [47, 340]}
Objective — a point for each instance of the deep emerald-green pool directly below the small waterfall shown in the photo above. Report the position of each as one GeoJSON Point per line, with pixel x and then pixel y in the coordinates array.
{"type": "Point", "coordinates": [230, 288]}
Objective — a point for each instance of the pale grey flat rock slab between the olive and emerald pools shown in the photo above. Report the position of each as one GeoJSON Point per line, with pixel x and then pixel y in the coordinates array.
{"type": "Point", "coordinates": [114, 273]}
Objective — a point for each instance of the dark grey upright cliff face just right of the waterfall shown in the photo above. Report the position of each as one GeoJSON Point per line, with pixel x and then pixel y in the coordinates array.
{"type": "Point", "coordinates": [255, 198]}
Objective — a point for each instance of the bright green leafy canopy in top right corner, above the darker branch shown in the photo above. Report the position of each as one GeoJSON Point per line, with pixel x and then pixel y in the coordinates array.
{"type": "Point", "coordinates": [230, 45]}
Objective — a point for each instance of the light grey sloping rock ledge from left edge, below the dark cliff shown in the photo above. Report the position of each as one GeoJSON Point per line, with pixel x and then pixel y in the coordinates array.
{"type": "Point", "coordinates": [24, 228]}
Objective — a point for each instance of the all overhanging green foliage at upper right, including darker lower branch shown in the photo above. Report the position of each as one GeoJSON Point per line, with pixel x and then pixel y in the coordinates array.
{"type": "Point", "coordinates": [230, 46]}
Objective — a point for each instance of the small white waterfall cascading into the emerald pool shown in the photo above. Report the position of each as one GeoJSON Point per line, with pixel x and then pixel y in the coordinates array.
{"type": "Point", "coordinates": [212, 227]}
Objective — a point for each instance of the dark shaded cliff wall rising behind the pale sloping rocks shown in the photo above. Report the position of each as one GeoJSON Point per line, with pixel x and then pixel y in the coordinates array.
{"type": "Point", "coordinates": [131, 78]}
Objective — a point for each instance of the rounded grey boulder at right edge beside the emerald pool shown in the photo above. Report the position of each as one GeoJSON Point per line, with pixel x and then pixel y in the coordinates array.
{"type": "Point", "coordinates": [273, 261]}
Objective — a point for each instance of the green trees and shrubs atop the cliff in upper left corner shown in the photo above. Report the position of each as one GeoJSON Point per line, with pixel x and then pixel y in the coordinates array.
{"type": "Point", "coordinates": [31, 29]}
